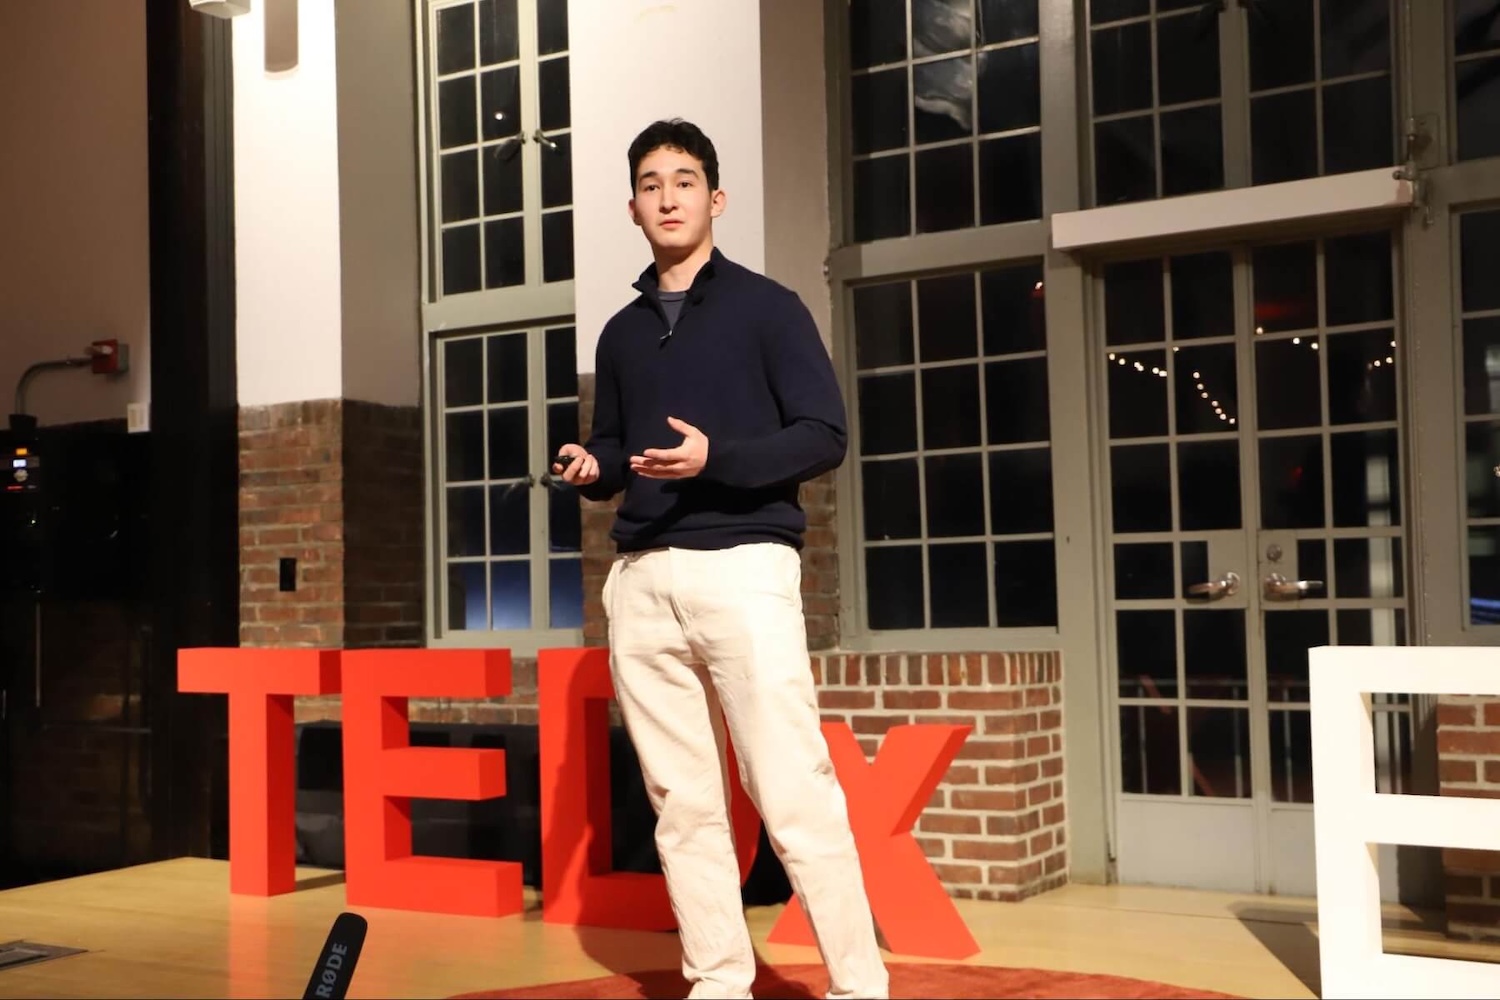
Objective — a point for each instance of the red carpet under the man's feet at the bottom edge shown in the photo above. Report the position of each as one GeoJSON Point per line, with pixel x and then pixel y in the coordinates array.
{"type": "Point", "coordinates": [811, 983]}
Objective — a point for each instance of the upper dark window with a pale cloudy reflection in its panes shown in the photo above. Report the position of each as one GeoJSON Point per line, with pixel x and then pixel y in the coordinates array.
{"type": "Point", "coordinates": [946, 115]}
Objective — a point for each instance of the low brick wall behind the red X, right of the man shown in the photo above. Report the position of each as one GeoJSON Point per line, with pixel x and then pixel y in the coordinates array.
{"type": "Point", "coordinates": [997, 827]}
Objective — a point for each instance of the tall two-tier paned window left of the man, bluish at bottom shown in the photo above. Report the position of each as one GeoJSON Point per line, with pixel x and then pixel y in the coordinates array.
{"type": "Point", "coordinates": [503, 389]}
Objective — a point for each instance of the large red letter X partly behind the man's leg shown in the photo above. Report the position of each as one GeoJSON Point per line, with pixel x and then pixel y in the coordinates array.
{"type": "Point", "coordinates": [886, 798]}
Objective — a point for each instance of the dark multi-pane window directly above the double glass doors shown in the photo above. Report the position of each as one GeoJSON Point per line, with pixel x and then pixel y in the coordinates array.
{"type": "Point", "coordinates": [1321, 97]}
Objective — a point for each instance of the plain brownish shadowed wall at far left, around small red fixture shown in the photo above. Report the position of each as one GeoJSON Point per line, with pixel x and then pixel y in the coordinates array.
{"type": "Point", "coordinates": [76, 233]}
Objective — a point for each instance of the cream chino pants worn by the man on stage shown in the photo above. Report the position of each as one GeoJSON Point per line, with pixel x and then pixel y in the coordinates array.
{"type": "Point", "coordinates": [697, 639]}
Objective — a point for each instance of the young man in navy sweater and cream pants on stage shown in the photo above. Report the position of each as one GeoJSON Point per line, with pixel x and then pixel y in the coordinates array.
{"type": "Point", "coordinates": [715, 400]}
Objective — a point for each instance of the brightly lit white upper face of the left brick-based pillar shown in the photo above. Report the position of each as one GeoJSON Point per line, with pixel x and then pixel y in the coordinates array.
{"type": "Point", "coordinates": [287, 214]}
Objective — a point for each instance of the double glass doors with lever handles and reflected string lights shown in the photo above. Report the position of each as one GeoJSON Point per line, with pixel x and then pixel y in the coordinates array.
{"type": "Point", "coordinates": [1253, 428]}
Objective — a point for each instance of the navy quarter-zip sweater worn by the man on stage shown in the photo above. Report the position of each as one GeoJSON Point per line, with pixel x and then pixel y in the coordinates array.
{"type": "Point", "coordinates": [745, 365]}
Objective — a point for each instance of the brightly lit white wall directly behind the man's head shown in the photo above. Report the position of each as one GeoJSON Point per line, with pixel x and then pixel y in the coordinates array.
{"type": "Point", "coordinates": [635, 62]}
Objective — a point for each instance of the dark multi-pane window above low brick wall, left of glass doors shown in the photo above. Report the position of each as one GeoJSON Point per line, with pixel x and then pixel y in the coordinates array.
{"type": "Point", "coordinates": [955, 463]}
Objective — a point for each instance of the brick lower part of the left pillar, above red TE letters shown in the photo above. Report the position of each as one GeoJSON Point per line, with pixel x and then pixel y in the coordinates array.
{"type": "Point", "coordinates": [335, 485]}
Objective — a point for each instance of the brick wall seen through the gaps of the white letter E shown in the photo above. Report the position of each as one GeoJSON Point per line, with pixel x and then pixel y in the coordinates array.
{"type": "Point", "coordinates": [1469, 764]}
